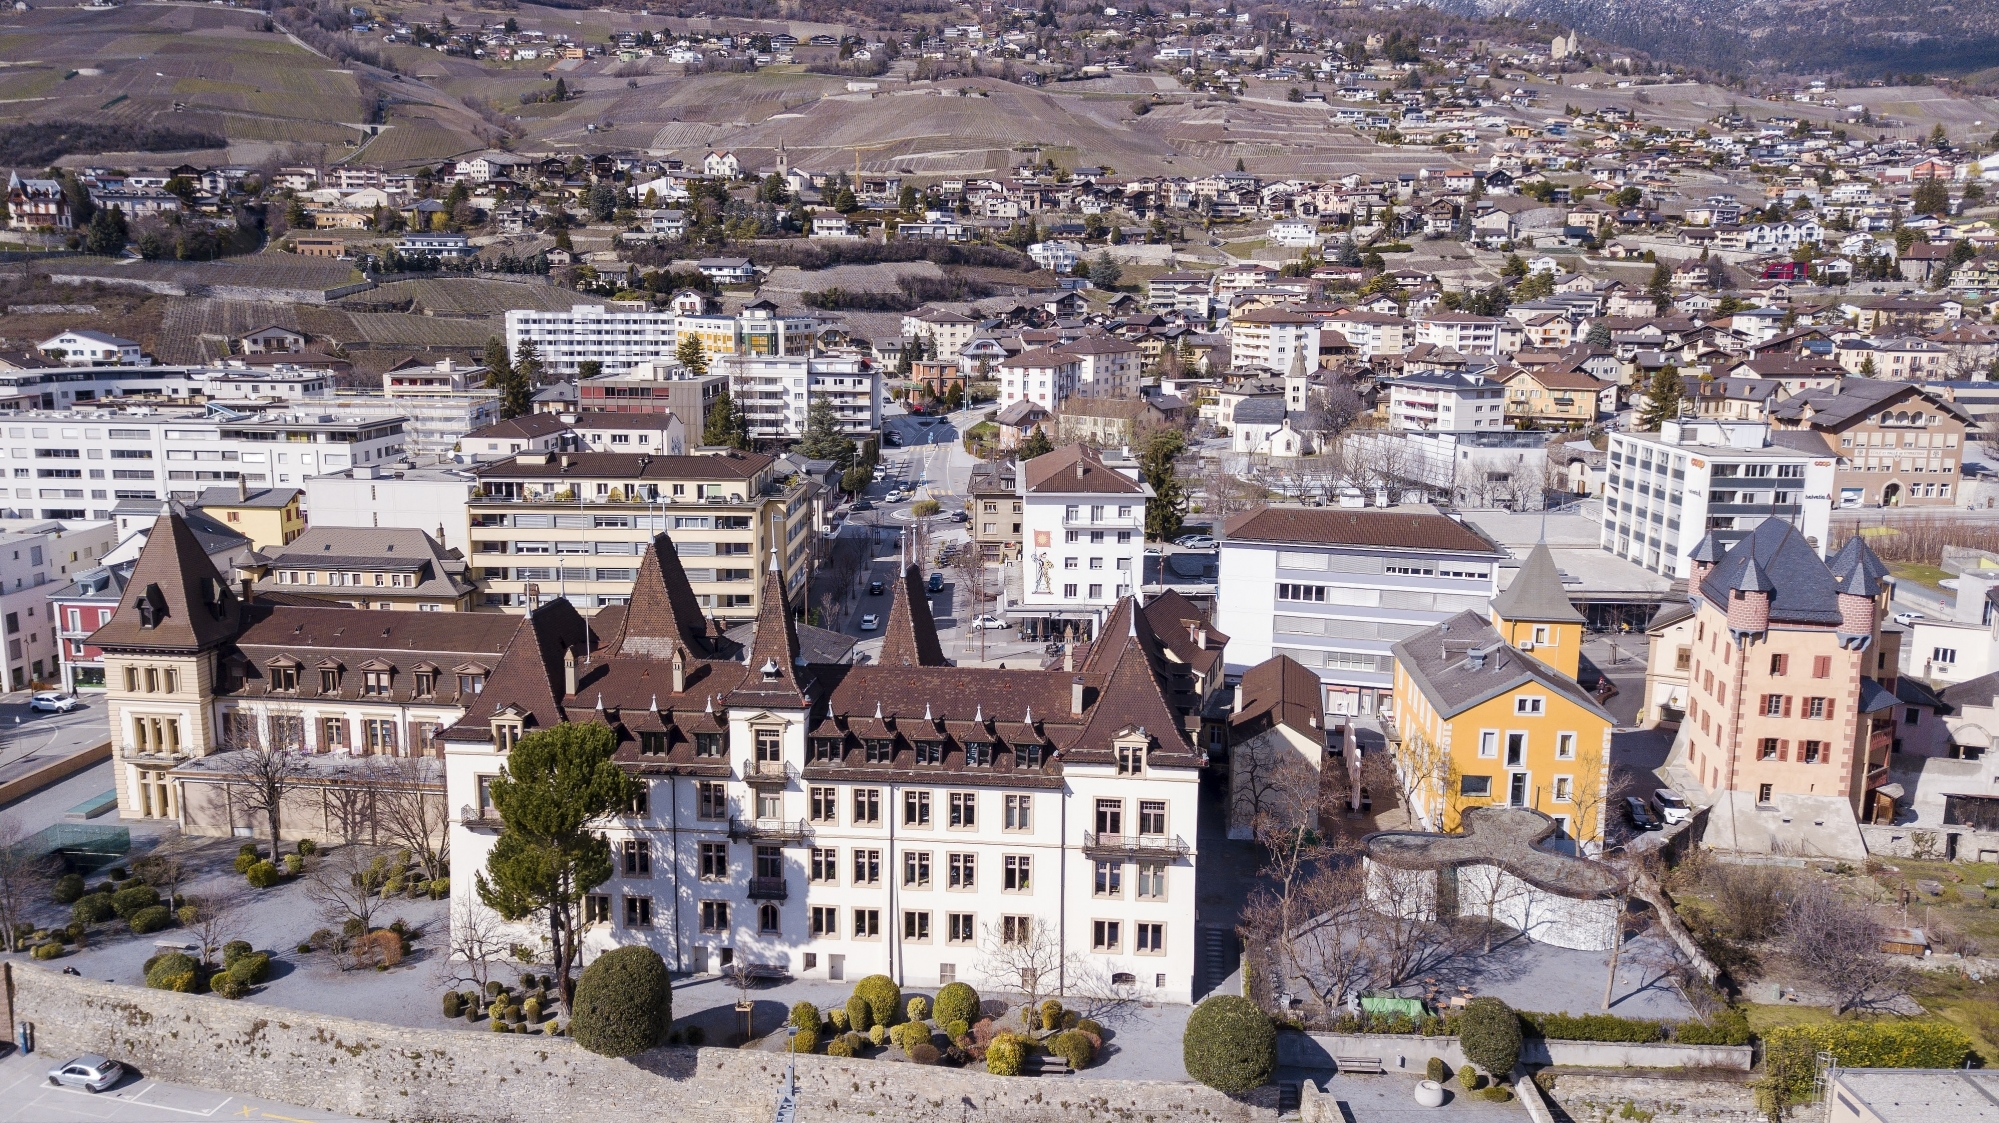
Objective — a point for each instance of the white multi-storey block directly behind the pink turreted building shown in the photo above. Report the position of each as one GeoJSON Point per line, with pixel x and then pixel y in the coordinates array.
{"type": "Point", "coordinates": [1666, 493]}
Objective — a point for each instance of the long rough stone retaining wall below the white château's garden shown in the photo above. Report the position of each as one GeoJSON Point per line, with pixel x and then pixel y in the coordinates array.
{"type": "Point", "coordinates": [397, 1074]}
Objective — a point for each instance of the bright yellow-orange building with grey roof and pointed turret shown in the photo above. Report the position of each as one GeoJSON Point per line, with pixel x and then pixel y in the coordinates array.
{"type": "Point", "coordinates": [1488, 712]}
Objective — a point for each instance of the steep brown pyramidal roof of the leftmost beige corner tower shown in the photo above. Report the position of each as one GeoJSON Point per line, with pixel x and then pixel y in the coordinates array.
{"type": "Point", "coordinates": [189, 606]}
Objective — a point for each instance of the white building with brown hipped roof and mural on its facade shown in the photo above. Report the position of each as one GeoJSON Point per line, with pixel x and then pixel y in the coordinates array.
{"type": "Point", "coordinates": [1084, 541]}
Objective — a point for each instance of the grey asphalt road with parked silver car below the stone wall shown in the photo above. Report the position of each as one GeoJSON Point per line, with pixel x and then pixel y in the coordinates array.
{"type": "Point", "coordinates": [29, 1098]}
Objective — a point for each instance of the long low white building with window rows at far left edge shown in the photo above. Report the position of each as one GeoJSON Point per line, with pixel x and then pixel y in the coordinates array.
{"type": "Point", "coordinates": [81, 463]}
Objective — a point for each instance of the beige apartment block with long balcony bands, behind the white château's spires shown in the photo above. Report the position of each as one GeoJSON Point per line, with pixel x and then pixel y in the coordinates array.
{"type": "Point", "coordinates": [571, 525]}
